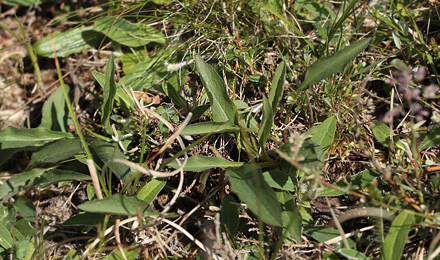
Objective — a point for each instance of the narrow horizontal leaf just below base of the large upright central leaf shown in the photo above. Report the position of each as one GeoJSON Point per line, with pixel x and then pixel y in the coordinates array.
{"type": "Point", "coordinates": [209, 127]}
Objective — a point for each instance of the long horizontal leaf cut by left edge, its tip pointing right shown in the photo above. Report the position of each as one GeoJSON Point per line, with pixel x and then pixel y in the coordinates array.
{"type": "Point", "coordinates": [11, 137]}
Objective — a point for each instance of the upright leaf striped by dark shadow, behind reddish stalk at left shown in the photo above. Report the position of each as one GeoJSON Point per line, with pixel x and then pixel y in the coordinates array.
{"type": "Point", "coordinates": [55, 113]}
